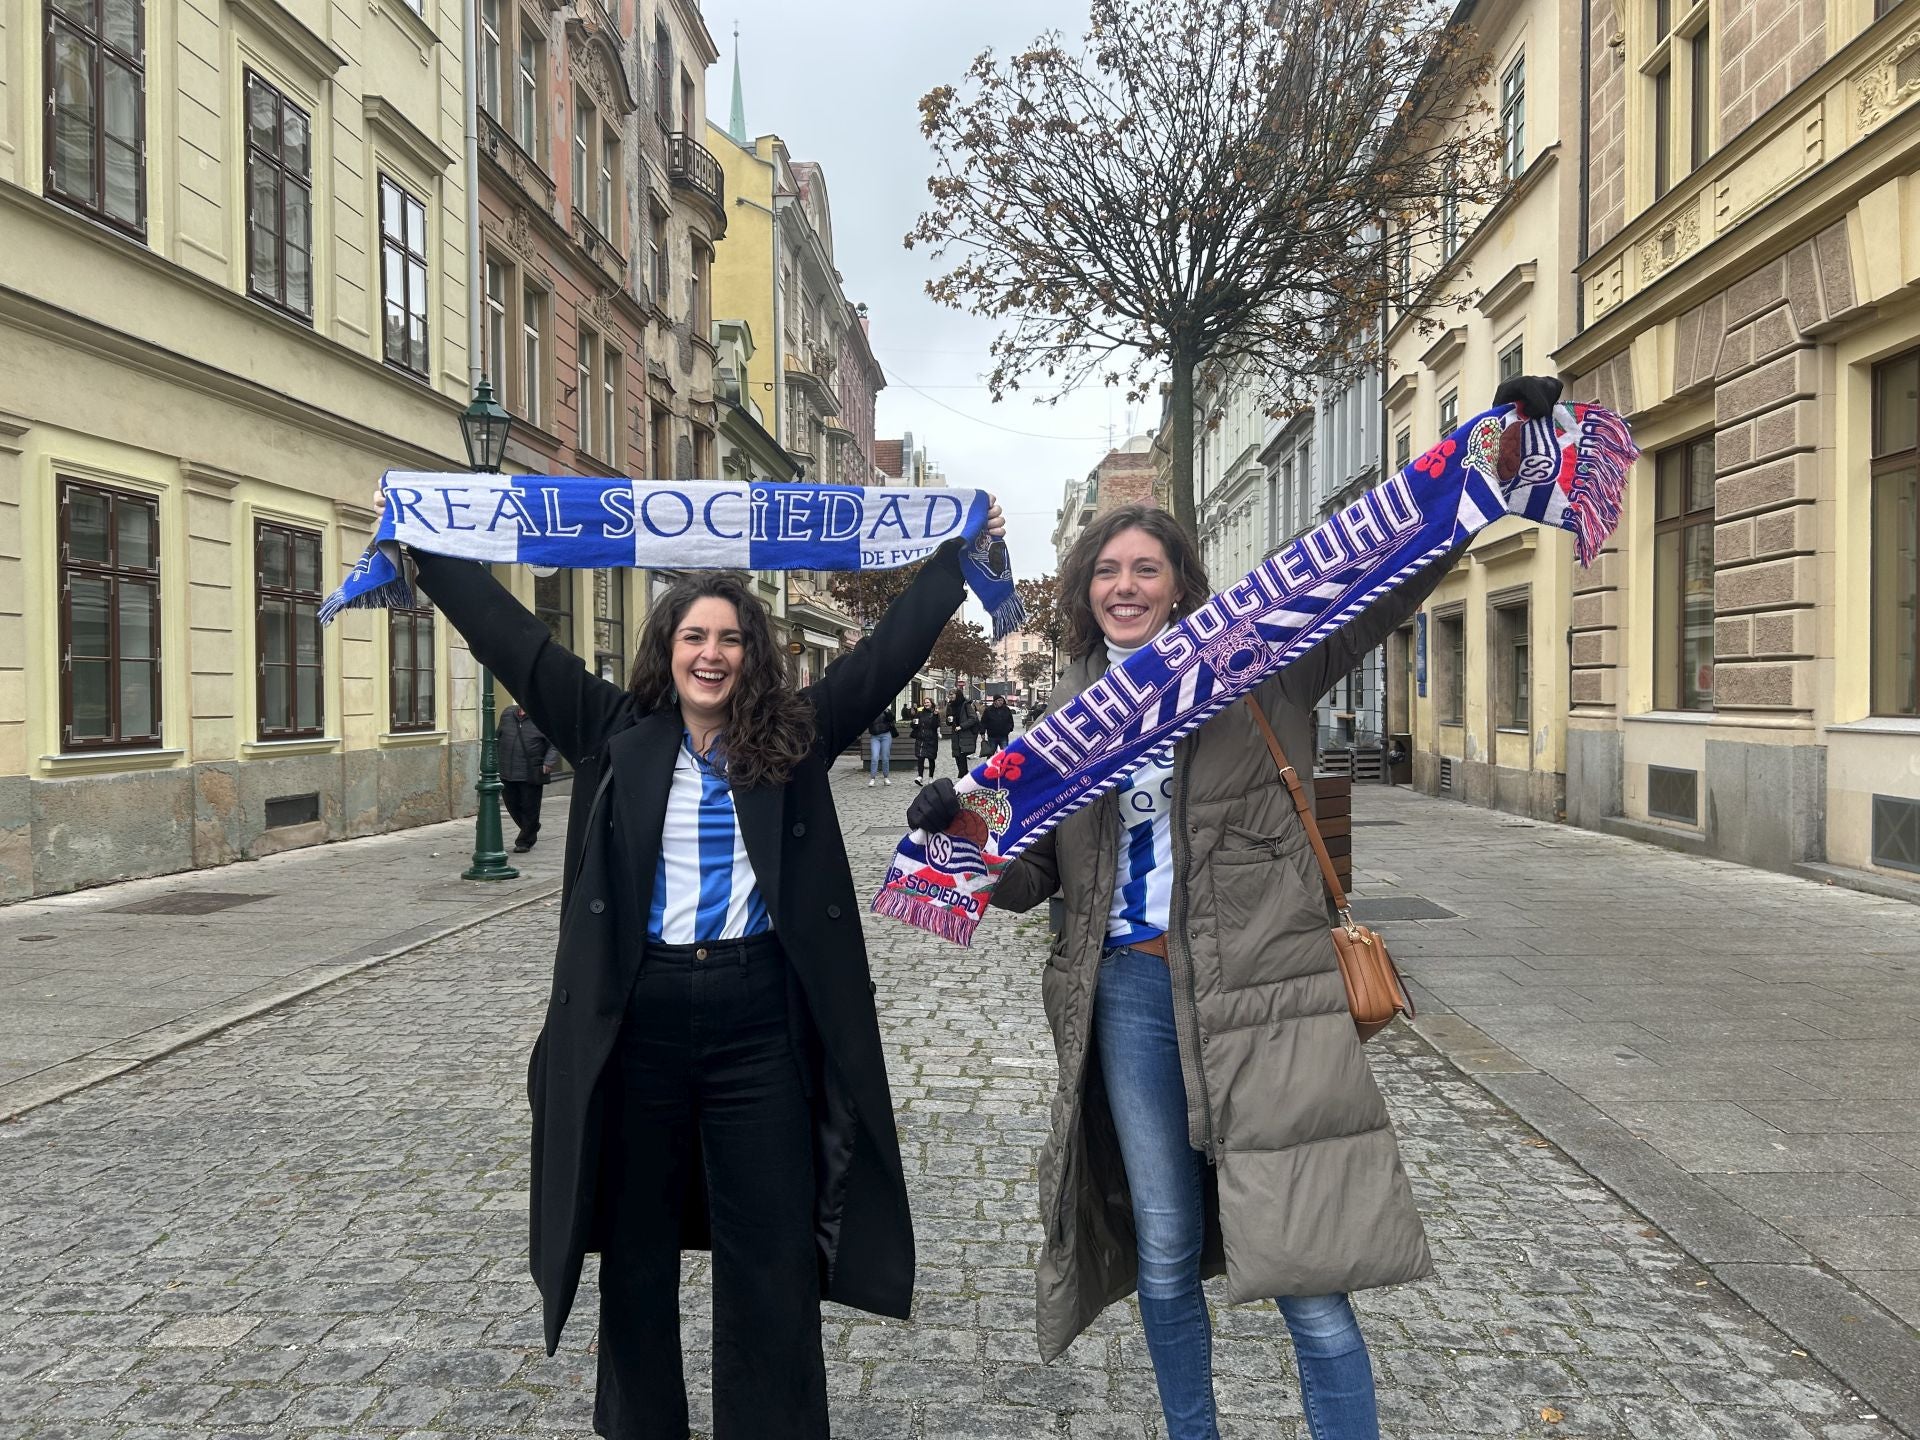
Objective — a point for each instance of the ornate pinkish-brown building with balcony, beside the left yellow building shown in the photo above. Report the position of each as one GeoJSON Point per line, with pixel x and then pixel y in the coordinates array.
{"type": "Point", "coordinates": [600, 216]}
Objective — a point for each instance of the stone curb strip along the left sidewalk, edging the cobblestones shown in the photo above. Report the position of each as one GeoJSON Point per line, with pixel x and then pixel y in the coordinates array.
{"type": "Point", "coordinates": [122, 1057]}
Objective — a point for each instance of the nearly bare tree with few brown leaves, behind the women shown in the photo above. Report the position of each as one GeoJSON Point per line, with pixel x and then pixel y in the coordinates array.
{"type": "Point", "coordinates": [1205, 181]}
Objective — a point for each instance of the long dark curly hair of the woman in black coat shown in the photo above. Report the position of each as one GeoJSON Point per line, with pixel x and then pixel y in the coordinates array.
{"type": "Point", "coordinates": [769, 727]}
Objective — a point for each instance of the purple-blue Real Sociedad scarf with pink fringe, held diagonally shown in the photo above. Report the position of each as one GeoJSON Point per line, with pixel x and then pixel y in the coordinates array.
{"type": "Point", "coordinates": [1568, 471]}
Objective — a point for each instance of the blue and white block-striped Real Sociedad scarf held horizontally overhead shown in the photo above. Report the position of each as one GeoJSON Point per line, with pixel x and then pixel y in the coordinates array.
{"type": "Point", "coordinates": [594, 523]}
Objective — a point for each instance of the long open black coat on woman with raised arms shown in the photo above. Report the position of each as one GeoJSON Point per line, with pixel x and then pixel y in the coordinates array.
{"type": "Point", "coordinates": [625, 765]}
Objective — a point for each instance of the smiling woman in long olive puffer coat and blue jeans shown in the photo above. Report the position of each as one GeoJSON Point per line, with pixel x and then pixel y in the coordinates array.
{"type": "Point", "coordinates": [1216, 1115]}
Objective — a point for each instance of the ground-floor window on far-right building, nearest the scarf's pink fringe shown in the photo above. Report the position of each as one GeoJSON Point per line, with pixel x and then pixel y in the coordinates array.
{"type": "Point", "coordinates": [1683, 577]}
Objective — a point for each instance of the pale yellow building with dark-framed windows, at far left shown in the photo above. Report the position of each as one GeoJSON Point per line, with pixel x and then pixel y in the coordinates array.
{"type": "Point", "coordinates": [233, 291]}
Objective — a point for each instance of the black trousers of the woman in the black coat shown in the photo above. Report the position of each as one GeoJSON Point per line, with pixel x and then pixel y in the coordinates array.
{"type": "Point", "coordinates": [706, 1051]}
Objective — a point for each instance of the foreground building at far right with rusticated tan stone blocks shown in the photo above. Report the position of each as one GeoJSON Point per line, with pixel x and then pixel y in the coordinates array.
{"type": "Point", "coordinates": [1746, 667]}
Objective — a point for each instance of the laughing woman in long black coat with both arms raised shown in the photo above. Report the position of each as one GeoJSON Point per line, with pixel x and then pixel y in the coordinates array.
{"type": "Point", "coordinates": [709, 1072]}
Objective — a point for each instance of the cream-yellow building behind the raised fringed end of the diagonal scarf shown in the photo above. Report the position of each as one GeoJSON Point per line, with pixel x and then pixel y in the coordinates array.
{"type": "Point", "coordinates": [1477, 683]}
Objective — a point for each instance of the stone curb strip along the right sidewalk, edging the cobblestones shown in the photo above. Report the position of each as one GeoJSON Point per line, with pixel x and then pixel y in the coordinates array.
{"type": "Point", "coordinates": [1861, 1343]}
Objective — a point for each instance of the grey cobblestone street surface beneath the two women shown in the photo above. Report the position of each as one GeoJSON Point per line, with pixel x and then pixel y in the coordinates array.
{"type": "Point", "coordinates": [314, 1226]}
